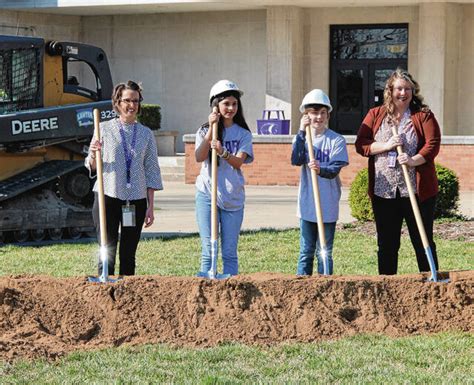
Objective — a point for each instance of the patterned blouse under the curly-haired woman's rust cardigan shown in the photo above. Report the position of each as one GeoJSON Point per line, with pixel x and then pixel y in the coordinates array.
{"type": "Point", "coordinates": [389, 179]}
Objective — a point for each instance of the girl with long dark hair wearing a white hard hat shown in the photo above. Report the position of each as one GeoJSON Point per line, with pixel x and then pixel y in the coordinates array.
{"type": "Point", "coordinates": [234, 148]}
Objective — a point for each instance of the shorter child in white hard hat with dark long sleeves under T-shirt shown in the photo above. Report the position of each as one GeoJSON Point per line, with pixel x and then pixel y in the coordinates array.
{"type": "Point", "coordinates": [330, 154]}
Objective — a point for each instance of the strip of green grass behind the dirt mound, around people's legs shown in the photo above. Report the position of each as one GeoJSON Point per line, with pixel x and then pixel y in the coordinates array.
{"type": "Point", "coordinates": [265, 250]}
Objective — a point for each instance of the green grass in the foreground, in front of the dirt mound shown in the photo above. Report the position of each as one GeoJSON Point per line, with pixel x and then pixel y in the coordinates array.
{"type": "Point", "coordinates": [443, 358]}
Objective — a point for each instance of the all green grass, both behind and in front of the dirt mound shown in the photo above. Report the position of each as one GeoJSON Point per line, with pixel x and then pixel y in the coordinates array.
{"type": "Point", "coordinates": [442, 358]}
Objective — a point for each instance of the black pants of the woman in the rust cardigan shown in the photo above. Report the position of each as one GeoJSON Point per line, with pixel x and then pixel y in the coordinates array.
{"type": "Point", "coordinates": [389, 215]}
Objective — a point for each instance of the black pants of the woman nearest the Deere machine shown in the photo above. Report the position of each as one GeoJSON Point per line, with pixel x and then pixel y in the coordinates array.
{"type": "Point", "coordinates": [129, 236]}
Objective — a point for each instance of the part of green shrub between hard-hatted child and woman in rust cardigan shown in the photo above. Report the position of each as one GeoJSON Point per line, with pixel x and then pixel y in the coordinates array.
{"type": "Point", "coordinates": [359, 201]}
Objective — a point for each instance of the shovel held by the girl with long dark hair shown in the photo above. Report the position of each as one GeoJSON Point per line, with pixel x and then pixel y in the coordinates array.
{"type": "Point", "coordinates": [212, 273]}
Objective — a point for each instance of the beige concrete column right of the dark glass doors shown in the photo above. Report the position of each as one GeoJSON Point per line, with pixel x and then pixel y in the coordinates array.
{"type": "Point", "coordinates": [432, 30]}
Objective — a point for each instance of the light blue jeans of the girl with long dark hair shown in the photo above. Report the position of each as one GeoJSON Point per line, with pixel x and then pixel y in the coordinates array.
{"type": "Point", "coordinates": [229, 223]}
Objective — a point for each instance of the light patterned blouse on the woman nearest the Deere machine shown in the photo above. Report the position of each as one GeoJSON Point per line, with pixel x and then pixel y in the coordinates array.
{"type": "Point", "coordinates": [145, 170]}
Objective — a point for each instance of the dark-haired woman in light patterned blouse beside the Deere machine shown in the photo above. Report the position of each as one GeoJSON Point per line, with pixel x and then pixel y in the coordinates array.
{"type": "Point", "coordinates": [131, 176]}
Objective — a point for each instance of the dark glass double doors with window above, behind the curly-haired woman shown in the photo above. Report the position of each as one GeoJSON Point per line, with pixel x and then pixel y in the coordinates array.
{"type": "Point", "coordinates": [362, 59]}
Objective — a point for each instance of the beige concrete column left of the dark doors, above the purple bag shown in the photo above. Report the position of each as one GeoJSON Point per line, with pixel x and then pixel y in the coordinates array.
{"type": "Point", "coordinates": [285, 61]}
